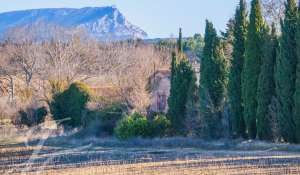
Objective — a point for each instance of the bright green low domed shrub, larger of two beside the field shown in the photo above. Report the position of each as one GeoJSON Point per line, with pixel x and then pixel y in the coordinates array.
{"type": "Point", "coordinates": [135, 125]}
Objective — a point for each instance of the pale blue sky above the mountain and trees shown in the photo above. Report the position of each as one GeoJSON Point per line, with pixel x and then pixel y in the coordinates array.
{"type": "Point", "coordinates": [159, 18]}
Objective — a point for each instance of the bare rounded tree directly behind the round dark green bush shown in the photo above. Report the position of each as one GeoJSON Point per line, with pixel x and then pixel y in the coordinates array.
{"type": "Point", "coordinates": [67, 60]}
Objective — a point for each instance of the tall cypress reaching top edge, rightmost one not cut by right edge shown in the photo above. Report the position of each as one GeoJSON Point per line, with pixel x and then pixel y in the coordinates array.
{"type": "Point", "coordinates": [286, 73]}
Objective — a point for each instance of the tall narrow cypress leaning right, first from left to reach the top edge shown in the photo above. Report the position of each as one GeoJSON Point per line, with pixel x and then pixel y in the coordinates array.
{"type": "Point", "coordinates": [235, 75]}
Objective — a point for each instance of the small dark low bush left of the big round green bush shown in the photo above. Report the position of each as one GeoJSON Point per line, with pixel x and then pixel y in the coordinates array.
{"type": "Point", "coordinates": [31, 116]}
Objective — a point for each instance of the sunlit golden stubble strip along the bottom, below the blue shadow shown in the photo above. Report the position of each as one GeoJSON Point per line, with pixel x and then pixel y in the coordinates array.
{"type": "Point", "coordinates": [229, 165]}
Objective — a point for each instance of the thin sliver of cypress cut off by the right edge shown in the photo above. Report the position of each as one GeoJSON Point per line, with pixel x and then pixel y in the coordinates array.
{"type": "Point", "coordinates": [297, 91]}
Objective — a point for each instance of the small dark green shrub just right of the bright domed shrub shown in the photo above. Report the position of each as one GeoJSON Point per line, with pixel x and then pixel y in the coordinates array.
{"type": "Point", "coordinates": [160, 125]}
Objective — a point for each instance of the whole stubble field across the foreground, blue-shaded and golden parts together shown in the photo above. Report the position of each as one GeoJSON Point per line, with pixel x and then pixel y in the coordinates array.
{"type": "Point", "coordinates": [177, 156]}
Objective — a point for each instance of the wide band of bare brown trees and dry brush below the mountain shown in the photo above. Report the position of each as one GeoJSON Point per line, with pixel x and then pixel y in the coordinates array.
{"type": "Point", "coordinates": [32, 70]}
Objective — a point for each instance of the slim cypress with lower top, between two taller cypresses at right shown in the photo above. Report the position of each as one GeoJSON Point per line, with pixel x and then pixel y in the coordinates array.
{"type": "Point", "coordinates": [266, 85]}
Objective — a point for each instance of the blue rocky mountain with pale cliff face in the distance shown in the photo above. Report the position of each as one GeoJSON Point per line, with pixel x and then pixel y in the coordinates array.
{"type": "Point", "coordinates": [103, 23]}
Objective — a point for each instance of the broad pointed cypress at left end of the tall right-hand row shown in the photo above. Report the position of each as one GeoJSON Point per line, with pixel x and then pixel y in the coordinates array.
{"type": "Point", "coordinates": [212, 83]}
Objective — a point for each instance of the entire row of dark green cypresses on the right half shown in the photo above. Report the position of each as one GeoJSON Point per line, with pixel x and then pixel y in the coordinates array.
{"type": "Point", "coordinates": [249, 78]}
